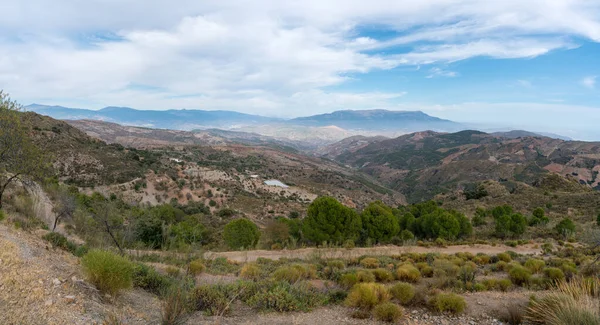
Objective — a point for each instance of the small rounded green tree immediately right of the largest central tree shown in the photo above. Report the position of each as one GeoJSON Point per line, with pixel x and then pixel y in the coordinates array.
{"type": "Point", "coordinates": [379, 222]}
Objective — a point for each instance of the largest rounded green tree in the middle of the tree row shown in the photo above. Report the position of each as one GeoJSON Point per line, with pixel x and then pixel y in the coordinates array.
{"type": "Point", "coordinates": [329, 220]}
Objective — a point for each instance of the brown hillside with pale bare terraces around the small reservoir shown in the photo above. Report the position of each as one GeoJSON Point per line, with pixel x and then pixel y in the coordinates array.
{"type": "Point", "coordinates": [202, 167]}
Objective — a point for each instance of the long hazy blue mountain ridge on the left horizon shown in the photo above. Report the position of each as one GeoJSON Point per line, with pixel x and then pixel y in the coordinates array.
{"type": "Point", "coordinates": [170, 119]}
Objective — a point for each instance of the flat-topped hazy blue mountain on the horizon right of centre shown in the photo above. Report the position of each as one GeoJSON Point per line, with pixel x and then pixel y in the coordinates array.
{"type": "Point", "coordinates": [381, 120]}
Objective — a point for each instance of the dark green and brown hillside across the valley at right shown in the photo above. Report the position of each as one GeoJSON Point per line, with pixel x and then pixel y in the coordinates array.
{"type": "Point", "coordinates": [423, 164]}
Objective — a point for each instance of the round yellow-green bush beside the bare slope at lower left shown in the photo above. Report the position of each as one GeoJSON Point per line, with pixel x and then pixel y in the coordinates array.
{"type": "Point", "coordinates": [109, 272]}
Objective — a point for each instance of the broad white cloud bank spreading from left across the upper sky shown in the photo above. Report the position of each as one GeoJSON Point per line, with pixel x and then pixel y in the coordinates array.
{"type": "Point", "coordinates": [265, 55]}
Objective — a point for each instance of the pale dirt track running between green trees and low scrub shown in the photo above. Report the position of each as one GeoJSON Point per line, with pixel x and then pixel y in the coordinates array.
{"type": "Point", "coordinates": [250, 256]}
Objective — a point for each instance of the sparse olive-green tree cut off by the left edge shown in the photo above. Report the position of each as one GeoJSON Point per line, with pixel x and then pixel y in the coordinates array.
{"type": "Point", "coordinates": [20, 159]}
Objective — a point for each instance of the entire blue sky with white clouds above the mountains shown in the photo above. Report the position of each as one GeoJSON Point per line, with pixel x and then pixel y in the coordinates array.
{"type": "Point", "coordinates": [532, 64]}
